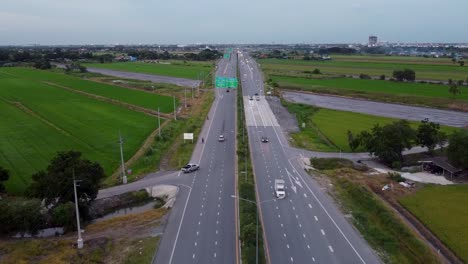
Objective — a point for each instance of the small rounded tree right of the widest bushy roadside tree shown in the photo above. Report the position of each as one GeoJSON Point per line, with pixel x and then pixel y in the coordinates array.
{"type": "Point", "coordinates": [429, 135]}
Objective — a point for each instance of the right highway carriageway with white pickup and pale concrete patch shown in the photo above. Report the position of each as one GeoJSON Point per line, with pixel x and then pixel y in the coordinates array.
{"type": "Point", "coordinates": [306, 226]}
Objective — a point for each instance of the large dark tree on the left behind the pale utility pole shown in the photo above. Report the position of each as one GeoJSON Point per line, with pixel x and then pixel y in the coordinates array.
{"type": "Point", "coordinates": [55, 184]}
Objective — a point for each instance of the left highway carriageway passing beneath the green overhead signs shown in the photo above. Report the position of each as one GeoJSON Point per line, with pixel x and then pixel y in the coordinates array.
{"type": "Point", "coordinates": [203, 223]}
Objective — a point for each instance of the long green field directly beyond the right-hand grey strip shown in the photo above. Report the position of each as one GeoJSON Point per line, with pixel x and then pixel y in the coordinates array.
{"type": "Point", "coordinates": [370, 86]}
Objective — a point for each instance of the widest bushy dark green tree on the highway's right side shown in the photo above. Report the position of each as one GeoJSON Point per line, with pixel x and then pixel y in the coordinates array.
{"type": "Point", "coordinates": [389, 141]}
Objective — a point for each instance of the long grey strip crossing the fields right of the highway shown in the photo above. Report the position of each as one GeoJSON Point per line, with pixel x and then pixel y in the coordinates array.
{"type": "Point", "coordinates": [443, 117]}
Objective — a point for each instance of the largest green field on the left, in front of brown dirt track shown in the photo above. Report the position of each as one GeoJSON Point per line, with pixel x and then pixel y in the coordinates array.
{"type": "Point", "coordinates": [38, 120]}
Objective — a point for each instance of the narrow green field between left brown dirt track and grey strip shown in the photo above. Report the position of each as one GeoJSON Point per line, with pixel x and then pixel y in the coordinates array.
{"type": "Point", "coordinates": [134, 97]}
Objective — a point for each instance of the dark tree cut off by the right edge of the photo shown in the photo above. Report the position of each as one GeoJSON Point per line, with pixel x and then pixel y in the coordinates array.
{"type": "Point", "coordinates": [457, 150]}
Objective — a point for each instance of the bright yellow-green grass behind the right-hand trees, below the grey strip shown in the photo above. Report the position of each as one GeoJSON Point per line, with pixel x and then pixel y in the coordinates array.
{"type": "Point", "coordinates": [326, 129]}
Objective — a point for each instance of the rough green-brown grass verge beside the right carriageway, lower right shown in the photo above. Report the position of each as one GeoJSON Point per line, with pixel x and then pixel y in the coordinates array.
{"type": "Point", "coordinates": [378, 224]}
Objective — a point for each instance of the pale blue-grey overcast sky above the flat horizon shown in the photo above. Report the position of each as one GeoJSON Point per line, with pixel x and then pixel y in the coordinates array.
{"type": "Point", "coordinates": [63, 22]}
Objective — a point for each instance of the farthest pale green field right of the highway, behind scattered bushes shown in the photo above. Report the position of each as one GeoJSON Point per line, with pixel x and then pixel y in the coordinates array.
{"type": "Point", "coordinates": [426, 69]}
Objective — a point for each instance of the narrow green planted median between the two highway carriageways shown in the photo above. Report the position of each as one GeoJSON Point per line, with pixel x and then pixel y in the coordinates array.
{"type": "Point", "coordinates": [246, 190]}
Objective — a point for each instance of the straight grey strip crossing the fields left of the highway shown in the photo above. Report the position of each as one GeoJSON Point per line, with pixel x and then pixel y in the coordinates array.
{"type": "Point", "coordinates": [147, 77]}
